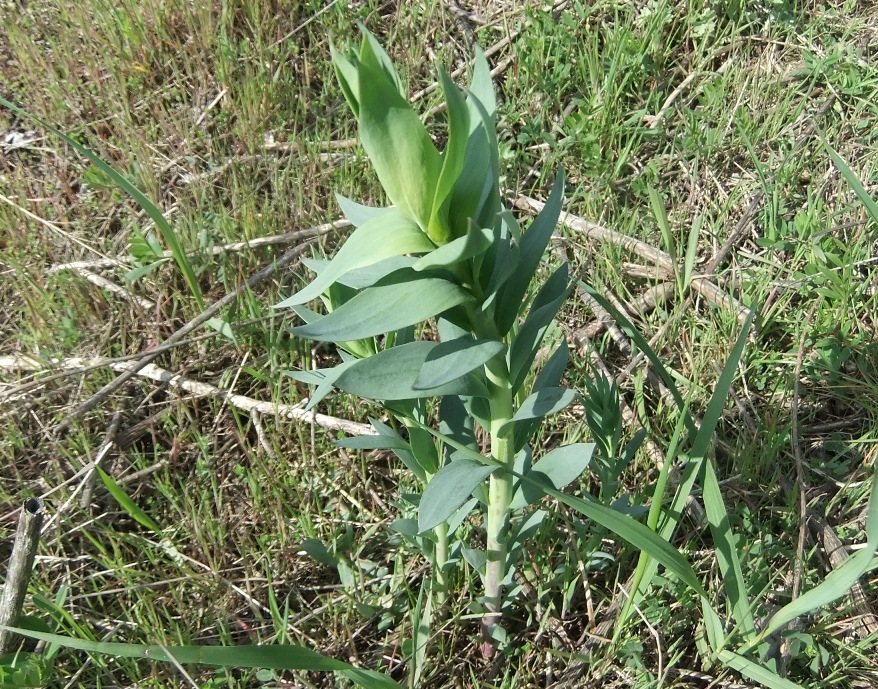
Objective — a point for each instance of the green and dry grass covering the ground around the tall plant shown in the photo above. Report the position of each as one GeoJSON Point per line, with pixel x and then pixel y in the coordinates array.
{"type": "Point", "coordinates": [772, 82]}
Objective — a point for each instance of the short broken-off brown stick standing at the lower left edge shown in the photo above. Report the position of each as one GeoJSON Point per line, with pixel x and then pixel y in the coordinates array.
{"type": "Point", "coordinates": [21, 563]}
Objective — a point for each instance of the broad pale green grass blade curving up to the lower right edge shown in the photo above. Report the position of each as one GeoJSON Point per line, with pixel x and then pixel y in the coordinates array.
{"type": "Point", "coordinates": [839, 581]}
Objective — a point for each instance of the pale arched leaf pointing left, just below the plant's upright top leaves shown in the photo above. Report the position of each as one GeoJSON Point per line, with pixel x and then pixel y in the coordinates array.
{"type": "Point", "coordinates": [391, 234]}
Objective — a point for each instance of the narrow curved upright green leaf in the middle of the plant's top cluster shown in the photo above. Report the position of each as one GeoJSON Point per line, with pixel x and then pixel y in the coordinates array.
{"type": "Point", "coordinates": [452, 158]}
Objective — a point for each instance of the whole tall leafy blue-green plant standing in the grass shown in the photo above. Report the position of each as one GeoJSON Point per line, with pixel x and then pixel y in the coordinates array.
{"type": "Point", "coordinates": [446, 250]}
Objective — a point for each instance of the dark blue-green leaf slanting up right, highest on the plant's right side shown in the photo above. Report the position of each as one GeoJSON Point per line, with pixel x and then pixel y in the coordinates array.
{"type": "Point", "coordinates": [533, 245]}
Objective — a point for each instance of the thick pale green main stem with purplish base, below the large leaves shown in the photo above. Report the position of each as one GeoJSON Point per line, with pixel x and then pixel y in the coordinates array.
{"type": "Point", "coordinates": [499, 499]}
